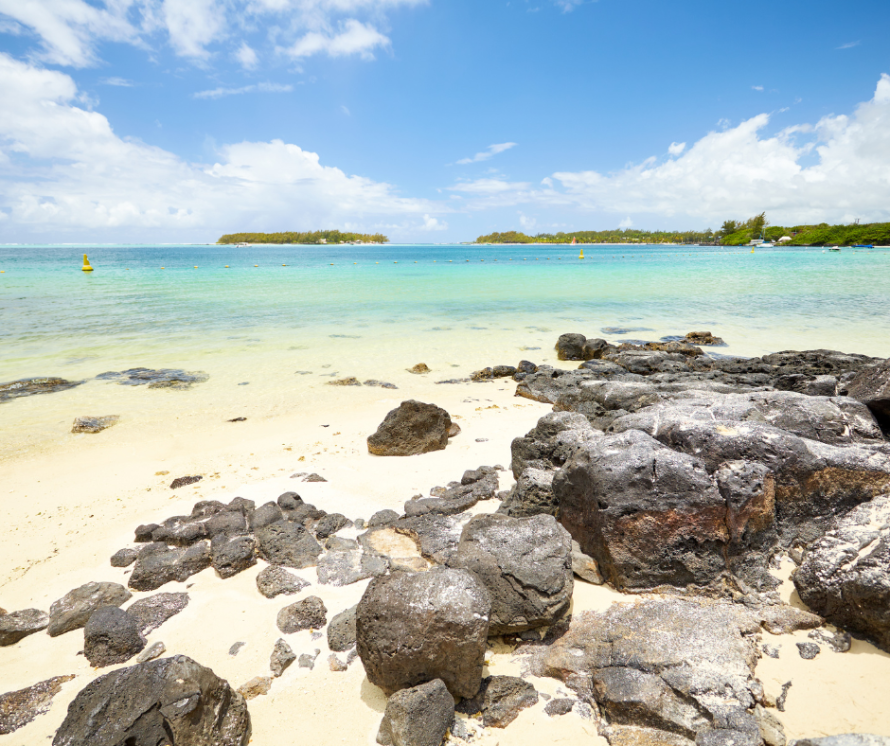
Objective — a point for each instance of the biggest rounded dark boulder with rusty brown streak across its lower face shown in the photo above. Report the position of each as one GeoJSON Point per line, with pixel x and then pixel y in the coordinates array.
{"type": "Point", "coordinates": [648, 515]}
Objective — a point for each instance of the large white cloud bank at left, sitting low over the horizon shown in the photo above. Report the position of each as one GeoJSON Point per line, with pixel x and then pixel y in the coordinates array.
{"type": "Point", "coordinates": [65, 173]}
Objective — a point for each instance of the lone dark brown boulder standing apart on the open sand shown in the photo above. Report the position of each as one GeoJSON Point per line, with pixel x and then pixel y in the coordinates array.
{"type": "Point", "coordinates": [412, 428]}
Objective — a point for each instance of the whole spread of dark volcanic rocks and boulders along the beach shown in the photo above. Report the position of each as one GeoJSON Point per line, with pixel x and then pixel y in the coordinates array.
{"type": "Point", "coordinates": [677, 477]}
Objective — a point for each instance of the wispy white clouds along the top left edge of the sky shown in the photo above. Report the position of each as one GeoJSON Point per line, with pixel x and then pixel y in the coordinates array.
{"type": "Point", "coordinates": [69, 31]}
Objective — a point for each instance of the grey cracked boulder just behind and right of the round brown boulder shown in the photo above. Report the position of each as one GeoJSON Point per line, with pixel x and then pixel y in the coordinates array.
{"type": "Point", "coordinates": [526, 566]}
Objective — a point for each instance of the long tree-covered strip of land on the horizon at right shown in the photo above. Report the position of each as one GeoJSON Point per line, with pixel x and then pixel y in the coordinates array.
{"type": "Point", "coordinates": [732, 233]}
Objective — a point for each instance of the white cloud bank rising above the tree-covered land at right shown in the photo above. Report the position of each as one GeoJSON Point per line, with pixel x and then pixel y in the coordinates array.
{"type": "Point", "coordinates": [837, 169]}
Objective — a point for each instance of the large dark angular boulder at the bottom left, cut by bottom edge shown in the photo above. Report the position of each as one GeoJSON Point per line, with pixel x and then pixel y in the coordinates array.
{"type": "Point", "coordinates": [172, 700]}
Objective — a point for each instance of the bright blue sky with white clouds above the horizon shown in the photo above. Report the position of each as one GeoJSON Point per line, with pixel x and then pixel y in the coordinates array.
{"type": "Point", "coordinates": [435, 120]}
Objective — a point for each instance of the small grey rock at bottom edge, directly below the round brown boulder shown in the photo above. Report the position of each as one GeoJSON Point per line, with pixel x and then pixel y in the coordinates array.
{"type": "Point", "coordinates": [420, 716]}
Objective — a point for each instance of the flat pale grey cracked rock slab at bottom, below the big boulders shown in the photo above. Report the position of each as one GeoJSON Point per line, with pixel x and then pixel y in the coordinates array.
{"type": "Point", "coordinates": [663, 668]}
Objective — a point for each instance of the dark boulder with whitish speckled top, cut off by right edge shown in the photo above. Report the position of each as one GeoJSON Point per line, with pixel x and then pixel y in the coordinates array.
{"type": "Point", "coordinates": [845, 575]}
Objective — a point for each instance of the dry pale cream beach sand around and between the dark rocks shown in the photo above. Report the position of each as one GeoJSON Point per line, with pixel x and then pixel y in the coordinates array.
{"type": "Point", "coordinates": [66, 508]}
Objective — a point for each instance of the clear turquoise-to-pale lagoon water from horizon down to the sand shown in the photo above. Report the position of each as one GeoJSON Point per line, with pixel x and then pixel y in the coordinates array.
{"type": "Point", "coordinates": [269, 335]}
